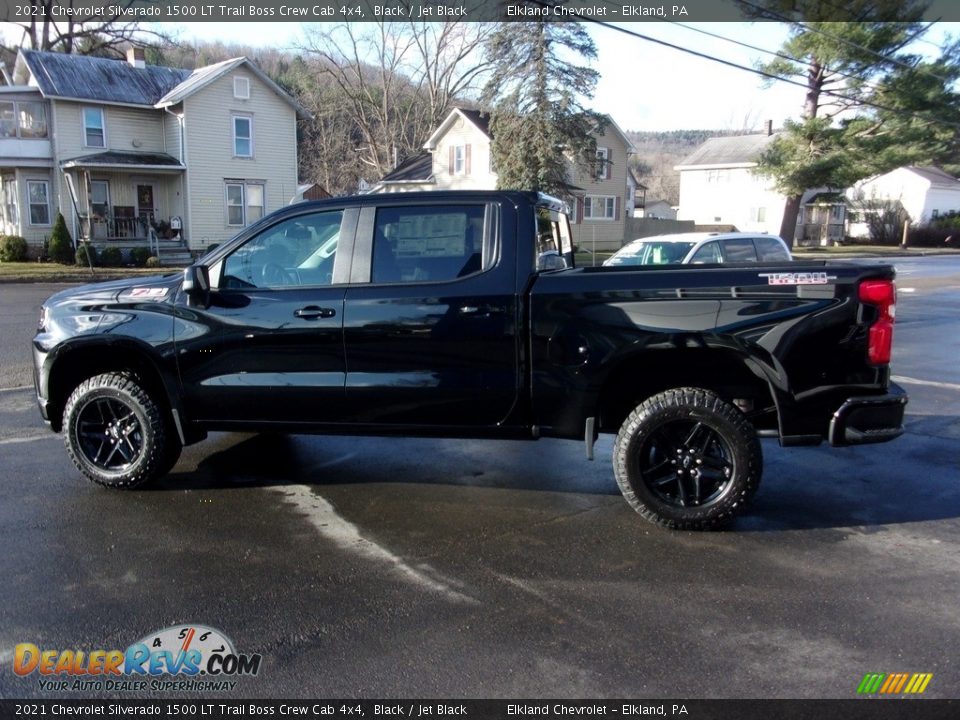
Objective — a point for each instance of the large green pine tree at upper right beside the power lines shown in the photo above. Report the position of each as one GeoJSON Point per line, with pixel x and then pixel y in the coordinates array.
{"type": "Point", "coordinates": [870, 105]}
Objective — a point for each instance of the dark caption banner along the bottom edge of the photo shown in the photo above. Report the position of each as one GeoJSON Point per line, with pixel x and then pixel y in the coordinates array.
{"type": "Point", "coordinates": [862, 709]}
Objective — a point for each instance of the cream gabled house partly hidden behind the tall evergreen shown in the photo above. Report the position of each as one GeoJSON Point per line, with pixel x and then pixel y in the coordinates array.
{"type": "Point", "coordinates": [457, 157]}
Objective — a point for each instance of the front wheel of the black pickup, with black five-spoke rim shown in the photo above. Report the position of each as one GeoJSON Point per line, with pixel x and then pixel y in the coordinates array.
{"type": "Point", "coordinates": [115, 433]}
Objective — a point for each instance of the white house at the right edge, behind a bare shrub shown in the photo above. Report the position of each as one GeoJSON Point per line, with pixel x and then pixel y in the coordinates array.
{"type": "Point", "coordinates": [925, 193]}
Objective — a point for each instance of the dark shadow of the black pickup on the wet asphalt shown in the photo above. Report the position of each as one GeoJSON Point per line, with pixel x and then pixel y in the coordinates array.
{"type": "Point", "coordinates": [911, 480]}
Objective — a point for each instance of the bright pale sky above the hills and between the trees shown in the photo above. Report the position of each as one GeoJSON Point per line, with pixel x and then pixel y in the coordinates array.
{"type": "Point", "coordinates": [643, 86]}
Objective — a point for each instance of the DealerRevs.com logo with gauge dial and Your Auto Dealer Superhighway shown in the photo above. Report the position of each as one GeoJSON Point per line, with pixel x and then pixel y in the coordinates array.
{"type": "Point", "coordinates": [182, 657]}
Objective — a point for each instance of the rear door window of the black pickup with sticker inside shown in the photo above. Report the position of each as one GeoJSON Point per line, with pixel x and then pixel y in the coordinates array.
{"type": "Point", "coordinates": [427, 243]}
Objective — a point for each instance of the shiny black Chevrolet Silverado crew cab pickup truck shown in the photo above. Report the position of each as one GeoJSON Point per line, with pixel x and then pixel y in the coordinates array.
{"type": "Point", "coordinates": [461, 314]}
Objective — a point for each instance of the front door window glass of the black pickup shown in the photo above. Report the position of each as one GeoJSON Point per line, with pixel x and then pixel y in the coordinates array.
{"type": "Point", "coordinates": [297, 251]}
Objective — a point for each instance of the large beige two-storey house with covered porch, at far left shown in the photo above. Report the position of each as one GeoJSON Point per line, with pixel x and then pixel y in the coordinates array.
{"type": "Point", "coordinates": [135, 154]}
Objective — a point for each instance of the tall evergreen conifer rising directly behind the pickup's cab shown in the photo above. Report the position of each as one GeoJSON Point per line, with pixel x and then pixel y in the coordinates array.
{"type": "Point", "coordinates": [536, 97]}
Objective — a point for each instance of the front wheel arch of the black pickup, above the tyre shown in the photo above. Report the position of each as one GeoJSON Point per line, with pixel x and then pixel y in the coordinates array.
{"type": "Point", "coordinates": [81, 359]}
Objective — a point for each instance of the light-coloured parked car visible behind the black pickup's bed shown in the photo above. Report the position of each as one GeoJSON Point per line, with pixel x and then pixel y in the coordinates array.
{"type": "Point", "coordinates": [701, 248]}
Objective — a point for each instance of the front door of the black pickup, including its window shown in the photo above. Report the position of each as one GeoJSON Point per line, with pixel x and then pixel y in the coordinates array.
{"type": "Point", "coordinates": [269, 348]}
